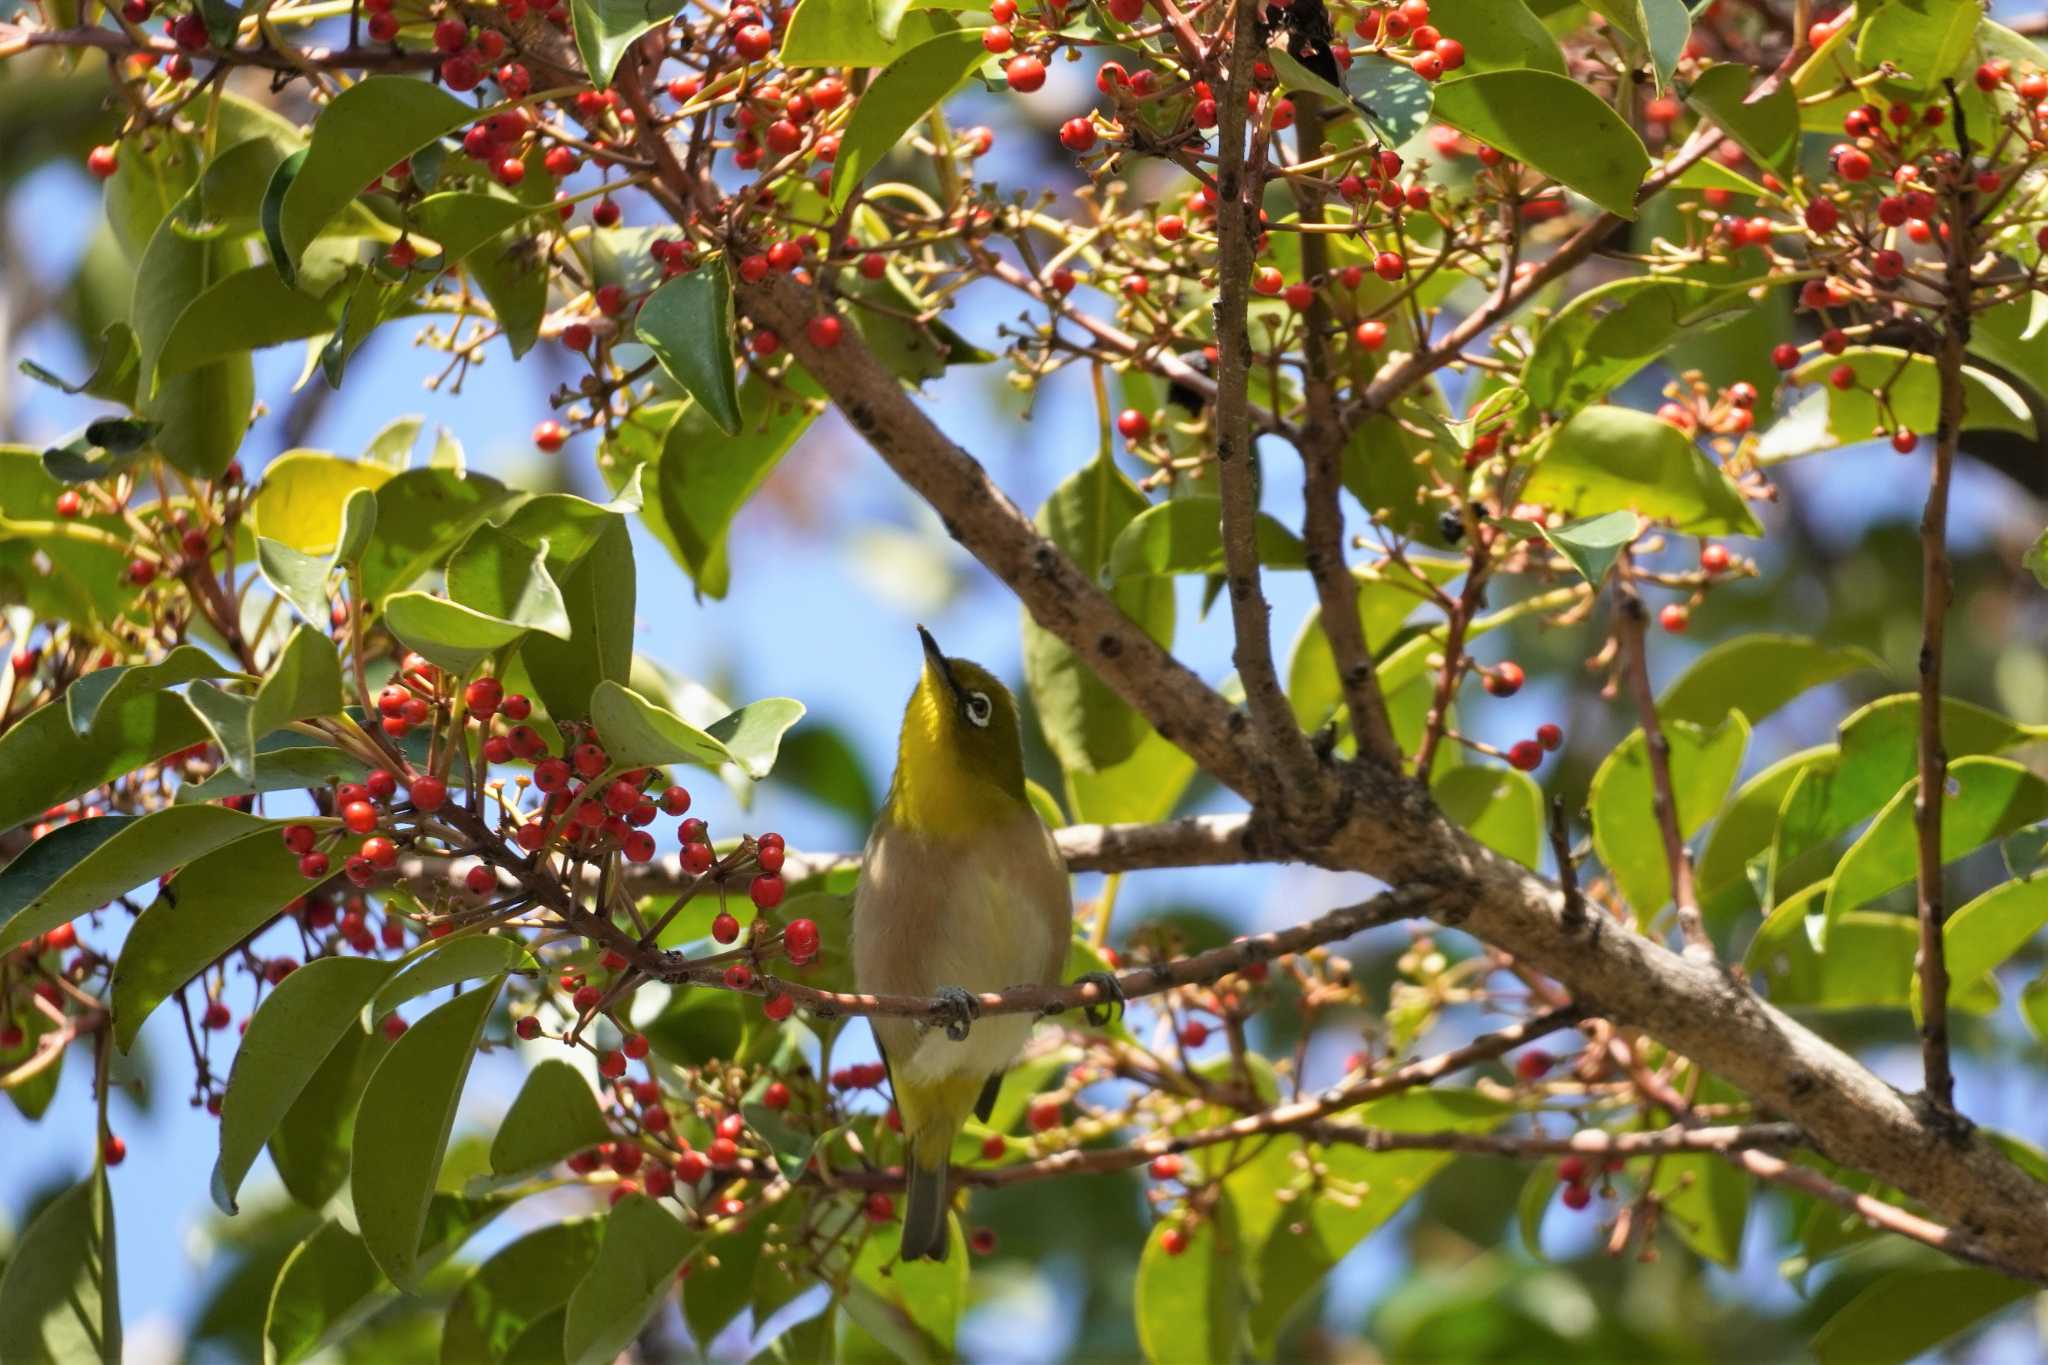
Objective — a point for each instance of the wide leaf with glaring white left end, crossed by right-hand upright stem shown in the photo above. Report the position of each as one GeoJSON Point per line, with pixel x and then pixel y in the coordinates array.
{"type": "Point", "coordinates": [1914, 386]}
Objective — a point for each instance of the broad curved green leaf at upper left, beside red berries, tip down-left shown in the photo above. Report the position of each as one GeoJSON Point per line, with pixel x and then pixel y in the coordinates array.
{"type": "Point", "coordinates": [364, 132]}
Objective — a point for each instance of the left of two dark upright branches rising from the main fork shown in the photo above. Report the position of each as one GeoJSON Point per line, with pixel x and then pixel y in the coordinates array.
{"type": "Point", "coordinates": [1322, 455]}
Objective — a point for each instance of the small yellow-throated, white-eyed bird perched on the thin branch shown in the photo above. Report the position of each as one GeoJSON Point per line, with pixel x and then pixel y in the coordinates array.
{"type": "Point", "coordinates": [962, 891]}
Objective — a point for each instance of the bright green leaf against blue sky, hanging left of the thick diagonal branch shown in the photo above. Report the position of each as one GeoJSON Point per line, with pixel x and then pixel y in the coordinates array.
{"type": "Point", "coordinates": [703, 480]}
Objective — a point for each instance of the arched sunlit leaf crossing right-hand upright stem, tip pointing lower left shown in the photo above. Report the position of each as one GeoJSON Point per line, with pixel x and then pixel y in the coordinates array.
{"type": "Point", "coordinates": [1988, 799]}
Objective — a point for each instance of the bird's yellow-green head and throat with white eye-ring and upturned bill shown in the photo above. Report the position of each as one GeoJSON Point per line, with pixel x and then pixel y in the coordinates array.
{"type": "Point", "coordinates": [959, 730]}
